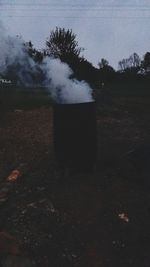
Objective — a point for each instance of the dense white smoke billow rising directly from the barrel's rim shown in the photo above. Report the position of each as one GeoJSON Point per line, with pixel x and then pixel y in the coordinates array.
{"type": "Point", "coordinates": [62, 88]}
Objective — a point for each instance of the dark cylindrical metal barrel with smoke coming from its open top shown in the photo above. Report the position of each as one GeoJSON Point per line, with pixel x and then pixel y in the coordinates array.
{"type": "Point", "coordinates": [75, 139]}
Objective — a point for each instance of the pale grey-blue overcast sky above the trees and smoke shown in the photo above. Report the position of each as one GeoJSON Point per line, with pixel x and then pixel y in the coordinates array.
{"type": "Point", "coordinates": [110, 29]}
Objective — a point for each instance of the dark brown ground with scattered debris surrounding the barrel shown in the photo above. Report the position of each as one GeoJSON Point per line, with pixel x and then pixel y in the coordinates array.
{"type": "Point", "coordinates": [95, 219]}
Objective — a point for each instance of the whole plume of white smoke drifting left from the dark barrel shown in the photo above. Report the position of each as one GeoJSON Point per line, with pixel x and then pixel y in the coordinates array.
{"type": "Point", "coordinates": [57, 75]}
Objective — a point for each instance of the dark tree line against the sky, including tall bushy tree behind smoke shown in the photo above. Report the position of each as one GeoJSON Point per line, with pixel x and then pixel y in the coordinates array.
{"type": "Point", "coordinates": [62, 44]}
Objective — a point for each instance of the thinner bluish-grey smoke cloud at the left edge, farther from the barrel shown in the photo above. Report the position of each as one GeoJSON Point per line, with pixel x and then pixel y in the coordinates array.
{"type": "Point", "coordinates": [15, 60]}
